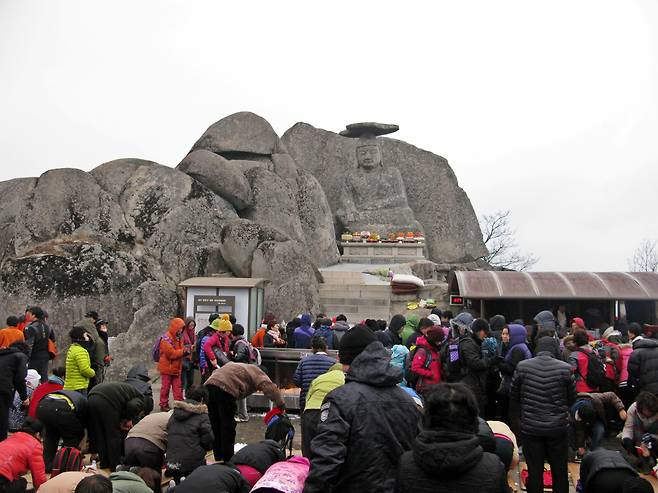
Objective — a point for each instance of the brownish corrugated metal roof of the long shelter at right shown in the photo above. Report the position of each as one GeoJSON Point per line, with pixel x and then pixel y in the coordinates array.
{"type": "Point", "coordinates": [556, 285]}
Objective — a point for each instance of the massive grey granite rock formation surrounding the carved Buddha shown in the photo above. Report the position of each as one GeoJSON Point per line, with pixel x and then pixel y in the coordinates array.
{"type": "Point", "coordinates": [242, 202]}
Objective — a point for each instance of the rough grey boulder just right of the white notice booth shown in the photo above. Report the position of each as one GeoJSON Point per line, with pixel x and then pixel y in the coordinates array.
{"type": "Point", "coordinates": [294, 281]}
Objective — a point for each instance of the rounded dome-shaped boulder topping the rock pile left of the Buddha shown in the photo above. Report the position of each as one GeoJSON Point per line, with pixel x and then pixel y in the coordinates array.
{"type": "Point", "coordinates": [242, 132]}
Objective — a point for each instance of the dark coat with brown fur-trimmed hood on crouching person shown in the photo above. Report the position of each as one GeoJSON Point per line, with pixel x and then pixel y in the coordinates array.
{"type": "Point", "coordinates": [189, 436]}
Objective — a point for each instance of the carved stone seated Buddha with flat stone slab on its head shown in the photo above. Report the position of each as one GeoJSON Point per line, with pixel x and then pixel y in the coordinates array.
{"type": "Point", "coordinates": [374, 197]}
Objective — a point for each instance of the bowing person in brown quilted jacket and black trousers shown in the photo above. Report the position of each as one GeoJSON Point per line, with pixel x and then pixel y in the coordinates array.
{"type": "Point", "coordinates": [226, 385]}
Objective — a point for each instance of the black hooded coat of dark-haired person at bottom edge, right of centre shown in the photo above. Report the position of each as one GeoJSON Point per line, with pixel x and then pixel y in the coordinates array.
{"type": "Point", "coordinates": [449, 461]}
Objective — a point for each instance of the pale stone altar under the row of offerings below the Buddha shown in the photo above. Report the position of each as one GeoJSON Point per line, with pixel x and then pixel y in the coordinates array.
{"type": "Point", "coordinates": [381, 253]}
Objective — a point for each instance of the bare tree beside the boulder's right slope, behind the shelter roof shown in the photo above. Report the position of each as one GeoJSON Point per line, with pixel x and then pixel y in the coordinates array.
{"type": "Point", "coordinates": [499, 238]}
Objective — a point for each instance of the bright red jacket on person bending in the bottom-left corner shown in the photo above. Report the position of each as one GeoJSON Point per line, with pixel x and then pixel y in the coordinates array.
{"type": "Point", "coordinates": [18, 454]}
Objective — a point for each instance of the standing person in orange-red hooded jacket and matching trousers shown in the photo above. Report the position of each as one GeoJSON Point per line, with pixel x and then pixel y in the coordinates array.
{"type": "Point", "coordinates": [170, 354]}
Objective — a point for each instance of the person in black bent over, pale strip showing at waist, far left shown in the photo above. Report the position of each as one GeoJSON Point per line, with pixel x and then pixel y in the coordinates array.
{"type": "Point", "coordinates": [63, 415]}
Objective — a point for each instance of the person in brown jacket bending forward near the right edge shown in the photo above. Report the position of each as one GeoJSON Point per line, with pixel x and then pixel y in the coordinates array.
{"type": "Point", "coordinates": [589, 418]}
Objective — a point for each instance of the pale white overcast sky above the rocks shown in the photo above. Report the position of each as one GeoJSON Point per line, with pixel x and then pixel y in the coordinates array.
{"type": "Point", "coordinates": [547, 108]}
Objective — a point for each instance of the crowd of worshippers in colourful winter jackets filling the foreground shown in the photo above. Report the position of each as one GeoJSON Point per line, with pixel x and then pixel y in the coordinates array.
{"type": "Point", "coordinates": [438, 403]}
